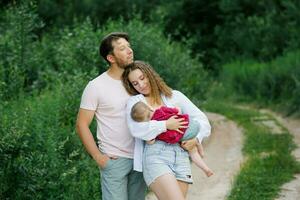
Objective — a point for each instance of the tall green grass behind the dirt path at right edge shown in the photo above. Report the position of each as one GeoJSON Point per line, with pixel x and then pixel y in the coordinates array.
{"type": "Point", "coordinates": [276, 82]}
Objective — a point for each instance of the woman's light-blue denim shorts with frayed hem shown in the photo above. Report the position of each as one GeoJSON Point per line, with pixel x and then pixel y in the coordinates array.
{"type": "Point", "coordinates": [162, 158]}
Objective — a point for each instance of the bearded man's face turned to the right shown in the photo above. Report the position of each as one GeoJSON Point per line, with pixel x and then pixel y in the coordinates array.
{"type": "Point", "coordinates": [122, 53]}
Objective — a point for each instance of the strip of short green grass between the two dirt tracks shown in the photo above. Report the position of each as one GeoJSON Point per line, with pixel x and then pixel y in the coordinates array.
{"type": "Point", "coordinates": [269, 162]}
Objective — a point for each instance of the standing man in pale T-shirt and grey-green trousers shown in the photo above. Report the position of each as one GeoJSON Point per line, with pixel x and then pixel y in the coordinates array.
{"type": "Point", "coordinates": [106, 98]}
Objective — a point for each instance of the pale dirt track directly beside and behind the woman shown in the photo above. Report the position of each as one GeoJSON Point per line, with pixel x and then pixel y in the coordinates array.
{"type": "Point", "coordinates": [223, 155]}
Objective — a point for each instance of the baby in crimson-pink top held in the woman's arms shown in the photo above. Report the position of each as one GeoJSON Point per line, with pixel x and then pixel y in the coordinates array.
{"type": "Point", "coordinates": [141, 112]}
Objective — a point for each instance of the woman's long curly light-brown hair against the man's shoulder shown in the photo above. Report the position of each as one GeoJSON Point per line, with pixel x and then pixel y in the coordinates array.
{"type": "Point", "coordinates": [157, 84]}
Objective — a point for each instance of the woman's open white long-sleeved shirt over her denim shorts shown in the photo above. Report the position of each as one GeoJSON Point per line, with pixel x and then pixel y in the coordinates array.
{"type": "Point", "coordinates": [149, 130]}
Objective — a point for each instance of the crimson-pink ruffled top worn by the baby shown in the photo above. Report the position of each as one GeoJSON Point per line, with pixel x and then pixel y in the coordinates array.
{"type": "Point", "coordinates": [164, 113]}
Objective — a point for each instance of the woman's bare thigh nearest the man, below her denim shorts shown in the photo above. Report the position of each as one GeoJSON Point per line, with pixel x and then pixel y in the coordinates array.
{"type": "Point", "coordinates": [166, 187]}
